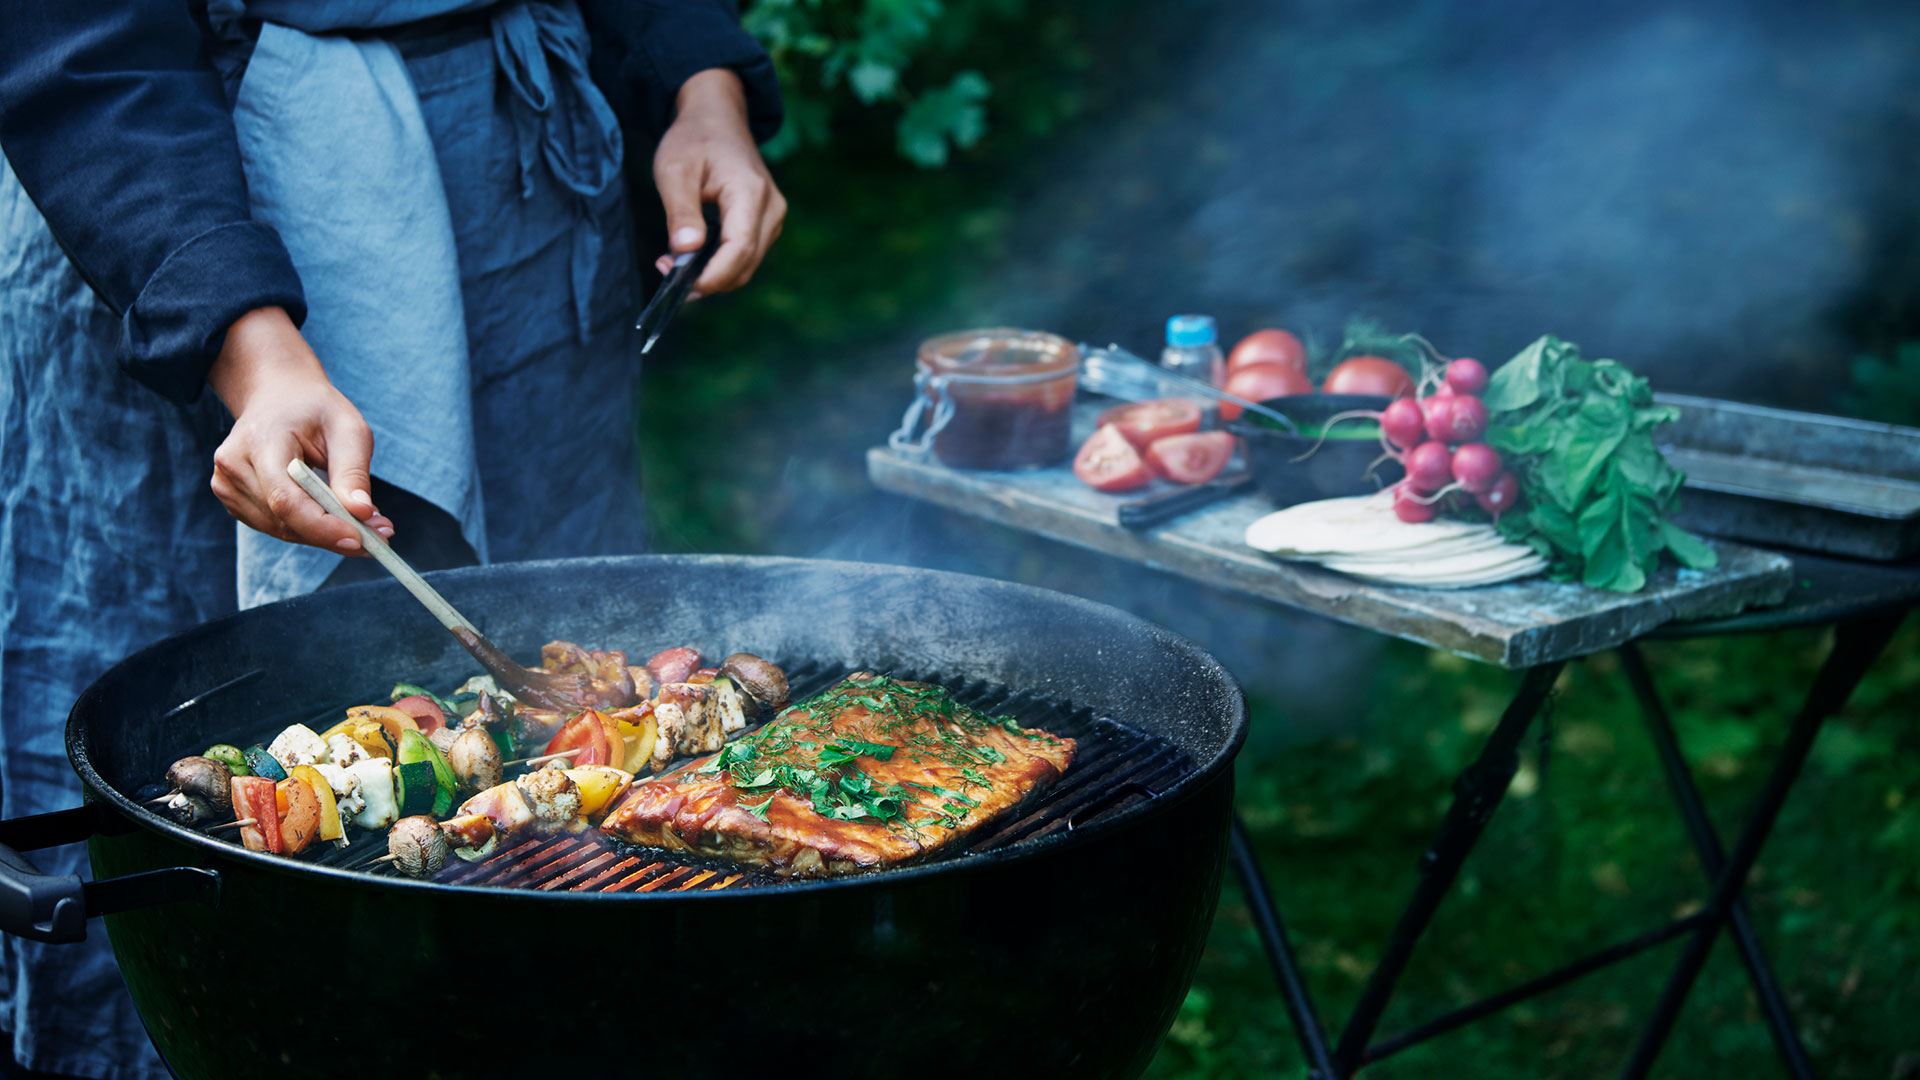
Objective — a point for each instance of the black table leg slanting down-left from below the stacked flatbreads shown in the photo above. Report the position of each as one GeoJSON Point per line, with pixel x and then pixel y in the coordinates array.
{"type": "Point", "coordinates": [1477, 793]}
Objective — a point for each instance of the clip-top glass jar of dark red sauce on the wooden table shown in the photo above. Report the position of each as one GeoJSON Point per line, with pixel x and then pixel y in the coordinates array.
{"type": "Point", "coordinates": [999, 399]}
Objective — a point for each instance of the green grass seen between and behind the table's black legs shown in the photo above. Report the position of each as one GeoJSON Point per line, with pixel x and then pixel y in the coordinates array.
{"type": "Point", "coordinates": [1581, 854]}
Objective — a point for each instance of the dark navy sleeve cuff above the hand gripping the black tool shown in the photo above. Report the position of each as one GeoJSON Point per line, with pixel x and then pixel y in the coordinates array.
{"type": "Point", "coordinates": [654, 47]}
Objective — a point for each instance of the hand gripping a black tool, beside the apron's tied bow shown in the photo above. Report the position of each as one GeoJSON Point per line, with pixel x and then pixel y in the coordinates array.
{"type": "Point", "coordinates": [709, 157]}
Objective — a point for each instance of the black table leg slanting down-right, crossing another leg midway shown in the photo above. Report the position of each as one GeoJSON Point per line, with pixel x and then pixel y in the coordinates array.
{"type": "Point", "coordinates": [1714, 860]}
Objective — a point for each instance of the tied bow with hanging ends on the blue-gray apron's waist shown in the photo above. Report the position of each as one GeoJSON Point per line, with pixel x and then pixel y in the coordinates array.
{"type": "Point", "coordinates": [560, 116]}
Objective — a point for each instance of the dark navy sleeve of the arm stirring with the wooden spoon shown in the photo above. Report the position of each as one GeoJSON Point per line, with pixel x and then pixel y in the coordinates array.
{"type": "Point", "coordinates": [118, 128]}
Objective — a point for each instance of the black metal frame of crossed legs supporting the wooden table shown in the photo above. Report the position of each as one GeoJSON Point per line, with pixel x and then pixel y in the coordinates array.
{"type": "Point", "coordinates": [1865, 616]}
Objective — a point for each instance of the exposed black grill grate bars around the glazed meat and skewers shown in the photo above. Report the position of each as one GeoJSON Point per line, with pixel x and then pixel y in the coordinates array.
{"type": "Point", "coordinates": [1115, 768]}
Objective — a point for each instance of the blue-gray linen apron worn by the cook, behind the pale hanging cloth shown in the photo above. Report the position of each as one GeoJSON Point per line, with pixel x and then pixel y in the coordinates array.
{"type": "Point", "coordinates": [110, 537]}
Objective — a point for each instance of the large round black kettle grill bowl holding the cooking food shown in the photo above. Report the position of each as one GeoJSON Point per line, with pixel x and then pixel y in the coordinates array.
{"type": "Point", "coordinates": [1065, 952]}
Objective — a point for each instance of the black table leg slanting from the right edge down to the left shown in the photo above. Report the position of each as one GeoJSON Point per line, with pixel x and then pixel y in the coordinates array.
{"type": "Point", "coordinates": [1856, 647]}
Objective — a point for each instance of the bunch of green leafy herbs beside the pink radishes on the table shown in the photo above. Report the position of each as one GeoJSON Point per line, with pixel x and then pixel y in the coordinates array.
{"type": "Point", "coordinates": [1598, 493]}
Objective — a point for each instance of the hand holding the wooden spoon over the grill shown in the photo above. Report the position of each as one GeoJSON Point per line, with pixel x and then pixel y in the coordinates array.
{"type": "Point", "coordinates": [287, 408]}
